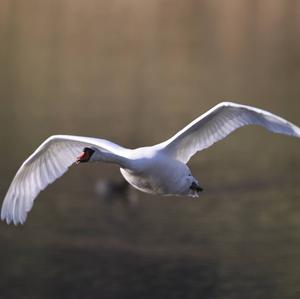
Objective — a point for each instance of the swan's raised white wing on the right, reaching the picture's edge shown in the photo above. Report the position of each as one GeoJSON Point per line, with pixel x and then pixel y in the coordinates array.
{"type": "Point", "coordinates": [219, 122]}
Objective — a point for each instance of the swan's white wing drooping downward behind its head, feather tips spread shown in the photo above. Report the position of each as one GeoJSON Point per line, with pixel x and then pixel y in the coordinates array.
{"type": "Point", "coordinates": [49, 162]}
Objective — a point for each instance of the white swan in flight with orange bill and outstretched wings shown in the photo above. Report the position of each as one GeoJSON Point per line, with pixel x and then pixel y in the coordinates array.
{"type": "Point", "coordinates": [159, 169]}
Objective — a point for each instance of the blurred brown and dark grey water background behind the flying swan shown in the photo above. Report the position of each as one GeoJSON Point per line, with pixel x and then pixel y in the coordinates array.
{"type": "Point", "coordinates": [135, 72]}
